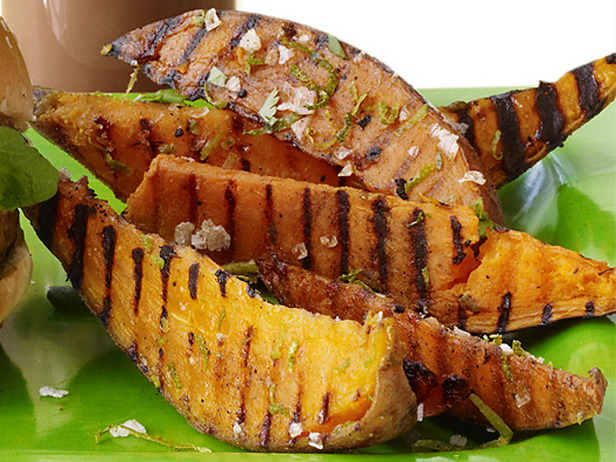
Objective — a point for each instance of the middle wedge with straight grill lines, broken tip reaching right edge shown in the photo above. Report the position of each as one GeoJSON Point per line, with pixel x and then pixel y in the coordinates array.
{"type": "Point", "coordinates": [428, 256]}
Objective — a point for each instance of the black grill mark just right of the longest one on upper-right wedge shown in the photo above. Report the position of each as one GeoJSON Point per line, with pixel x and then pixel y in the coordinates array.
{"type": "Point", "coordinates": [552, 120]}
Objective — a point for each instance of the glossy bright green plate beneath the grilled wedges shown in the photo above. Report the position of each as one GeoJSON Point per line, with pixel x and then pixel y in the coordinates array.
{"type": "Point", "coordinates": [568, 199]}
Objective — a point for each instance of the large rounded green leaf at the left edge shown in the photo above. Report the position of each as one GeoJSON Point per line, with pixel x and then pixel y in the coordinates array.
{"type": "Point", "coordinates": [26, 177]}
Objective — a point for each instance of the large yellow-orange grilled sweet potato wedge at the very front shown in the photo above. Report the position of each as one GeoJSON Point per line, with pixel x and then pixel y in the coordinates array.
{"type": "Point", "coordinates": [253, 374]}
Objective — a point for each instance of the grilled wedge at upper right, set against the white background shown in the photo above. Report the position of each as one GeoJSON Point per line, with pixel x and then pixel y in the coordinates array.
{"type": "Point", "coordinates": [513, 131]}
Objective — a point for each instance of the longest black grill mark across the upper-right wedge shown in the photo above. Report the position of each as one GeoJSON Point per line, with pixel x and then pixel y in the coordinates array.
{"type": "Point", "coordinates": [508, 124]}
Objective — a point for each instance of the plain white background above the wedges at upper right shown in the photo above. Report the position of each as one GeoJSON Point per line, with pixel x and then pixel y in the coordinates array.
{"type": "Point", "coordinates": [463, 43]}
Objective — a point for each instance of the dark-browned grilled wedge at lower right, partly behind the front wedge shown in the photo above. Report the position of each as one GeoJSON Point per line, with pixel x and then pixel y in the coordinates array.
{"type": "Point", "coordinates": [524, 392]}
